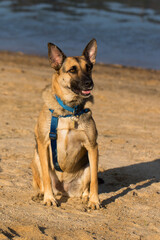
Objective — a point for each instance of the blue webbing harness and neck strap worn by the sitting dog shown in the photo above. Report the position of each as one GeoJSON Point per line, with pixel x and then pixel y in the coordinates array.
{"type": "Point", "coordinates": [76, 111]}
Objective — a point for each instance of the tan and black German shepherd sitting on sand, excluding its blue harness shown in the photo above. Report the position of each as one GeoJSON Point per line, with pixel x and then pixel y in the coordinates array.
{"type": "Point", "coordinates": [77, 149]}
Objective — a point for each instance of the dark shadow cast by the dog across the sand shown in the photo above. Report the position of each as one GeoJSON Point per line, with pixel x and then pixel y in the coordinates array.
{"type": "Point", "coordinates": [122, 177]}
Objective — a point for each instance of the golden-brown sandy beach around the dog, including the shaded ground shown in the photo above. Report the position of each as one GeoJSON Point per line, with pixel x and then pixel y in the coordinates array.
{"type": "Point", "coordinates": [127, 113]}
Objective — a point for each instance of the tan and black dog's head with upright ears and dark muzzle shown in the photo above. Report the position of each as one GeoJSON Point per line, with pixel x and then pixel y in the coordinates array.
{"type": "Point", "coordinates": [74, 73]}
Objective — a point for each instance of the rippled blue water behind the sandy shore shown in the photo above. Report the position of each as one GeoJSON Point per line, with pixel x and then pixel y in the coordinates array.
{"type": "Point", "coordinates": [127, 31]}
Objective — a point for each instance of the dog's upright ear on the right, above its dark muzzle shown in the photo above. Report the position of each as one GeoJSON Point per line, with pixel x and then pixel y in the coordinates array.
{"type": "Point", "coordinates": [90, 51]}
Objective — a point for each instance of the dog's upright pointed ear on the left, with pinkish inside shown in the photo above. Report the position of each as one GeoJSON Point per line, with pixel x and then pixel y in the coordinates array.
{"type": "Point", "coordinates": [56, 56]}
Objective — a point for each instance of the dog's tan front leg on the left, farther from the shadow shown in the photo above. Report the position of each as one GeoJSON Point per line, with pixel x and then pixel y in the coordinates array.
{"type": "Point", "coordinates": [48, 193]}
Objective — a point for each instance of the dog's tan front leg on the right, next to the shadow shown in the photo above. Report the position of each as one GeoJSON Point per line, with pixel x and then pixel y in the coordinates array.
{"type": "Point", "coordinates": [93, 160]}
